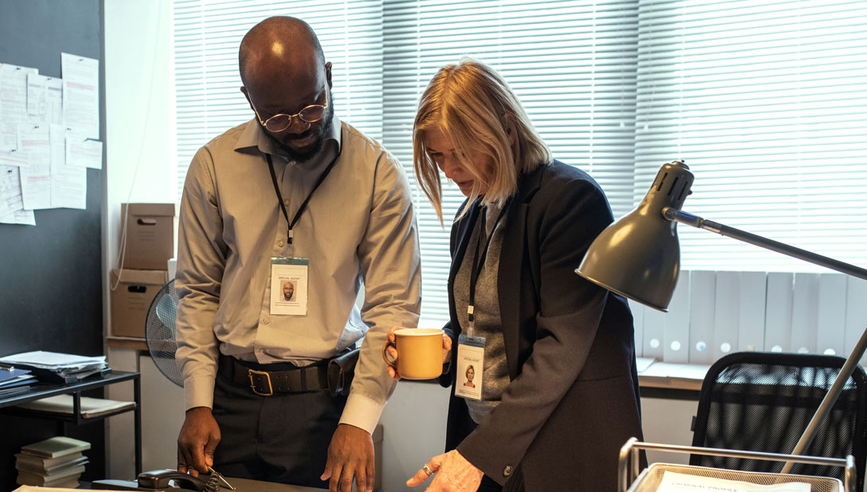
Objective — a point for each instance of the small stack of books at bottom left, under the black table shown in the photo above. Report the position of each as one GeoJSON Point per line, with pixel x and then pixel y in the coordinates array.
{"type": "Point", "coordinates": [55, 462]}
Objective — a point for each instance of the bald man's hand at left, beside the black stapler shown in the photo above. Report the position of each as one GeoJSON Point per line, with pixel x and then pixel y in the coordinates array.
{"type": "Point", "coordinates": [197, 441]}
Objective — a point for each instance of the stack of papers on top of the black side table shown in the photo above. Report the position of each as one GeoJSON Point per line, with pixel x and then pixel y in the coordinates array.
{"type": "Point", "coordinates": [57, 367]}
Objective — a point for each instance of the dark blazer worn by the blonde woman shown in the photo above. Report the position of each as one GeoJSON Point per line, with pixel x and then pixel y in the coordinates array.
{"type": "Point", "coordinates": [573, 400]}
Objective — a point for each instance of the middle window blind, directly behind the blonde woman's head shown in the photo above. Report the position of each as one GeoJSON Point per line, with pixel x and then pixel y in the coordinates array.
{"type": "Point", "coordinates": [572, 65]}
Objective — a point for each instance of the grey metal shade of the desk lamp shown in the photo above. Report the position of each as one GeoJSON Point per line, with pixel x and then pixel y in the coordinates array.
{"type": "Point", "coordinates": [639, 255]}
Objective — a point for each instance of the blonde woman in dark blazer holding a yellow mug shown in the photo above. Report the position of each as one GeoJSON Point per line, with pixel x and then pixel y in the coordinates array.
{"type": "Point", "coordinates": [559, 389]}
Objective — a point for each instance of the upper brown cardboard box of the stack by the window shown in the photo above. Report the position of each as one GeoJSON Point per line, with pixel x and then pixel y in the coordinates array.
{"type": "Point", "coordinates": [150, 235]}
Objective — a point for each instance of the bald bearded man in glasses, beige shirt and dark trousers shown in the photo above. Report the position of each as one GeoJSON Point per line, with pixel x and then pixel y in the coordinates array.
{"type": "Point", "coordinates": [293, 192]}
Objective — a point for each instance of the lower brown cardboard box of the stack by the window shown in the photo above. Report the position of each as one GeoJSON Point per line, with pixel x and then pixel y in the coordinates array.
{"type": "Point", "coordinates": [132, 298]}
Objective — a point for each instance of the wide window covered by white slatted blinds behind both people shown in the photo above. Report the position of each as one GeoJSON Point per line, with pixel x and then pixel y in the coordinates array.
{"type": "Point", "coordinates": [763, 100]}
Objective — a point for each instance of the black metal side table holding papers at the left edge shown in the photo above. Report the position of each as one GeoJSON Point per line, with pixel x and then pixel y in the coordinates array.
{"type": "Point", "coordinates": [44, 390]}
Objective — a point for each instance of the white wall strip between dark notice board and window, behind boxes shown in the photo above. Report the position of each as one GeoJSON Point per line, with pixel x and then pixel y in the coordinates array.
{"type": "Point", "coordinates": [141, 168]}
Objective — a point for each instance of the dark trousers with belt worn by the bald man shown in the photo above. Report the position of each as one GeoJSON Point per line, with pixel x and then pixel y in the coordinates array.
{"type": "Point", "coordinates": [281, 438]}
